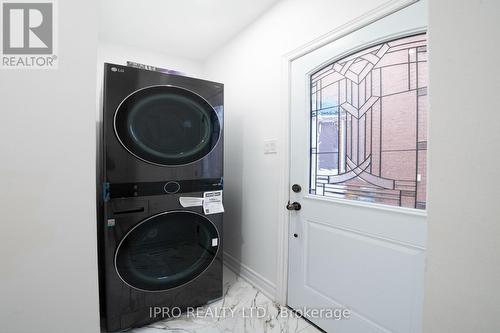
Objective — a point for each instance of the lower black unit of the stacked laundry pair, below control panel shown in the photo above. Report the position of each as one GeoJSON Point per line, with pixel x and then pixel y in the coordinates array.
{"type": "Point", "coordinates": [194, 280]}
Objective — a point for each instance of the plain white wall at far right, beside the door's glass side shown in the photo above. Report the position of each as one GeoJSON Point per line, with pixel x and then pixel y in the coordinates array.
{"type": "Point", "coordinates": [463, 267]}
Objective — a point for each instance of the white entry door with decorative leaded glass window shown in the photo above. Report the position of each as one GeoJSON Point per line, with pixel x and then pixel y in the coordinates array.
{"type": "Point", "coordinates": [358, 153]}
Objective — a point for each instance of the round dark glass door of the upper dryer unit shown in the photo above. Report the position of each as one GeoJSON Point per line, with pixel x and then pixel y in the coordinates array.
{"type": "Point", "coordinates": [167, 125]}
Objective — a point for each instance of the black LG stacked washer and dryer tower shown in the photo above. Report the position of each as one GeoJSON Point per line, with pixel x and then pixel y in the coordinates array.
{"type": "Point", "coordinates": [161, 139]}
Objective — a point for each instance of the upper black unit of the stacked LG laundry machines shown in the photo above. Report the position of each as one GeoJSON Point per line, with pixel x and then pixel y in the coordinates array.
{"type": "Point", "coordinates": [135, 150]}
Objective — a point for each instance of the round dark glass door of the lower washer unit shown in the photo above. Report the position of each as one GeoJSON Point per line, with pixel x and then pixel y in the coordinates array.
{"type": "Point", "coordinates": [166, 251]}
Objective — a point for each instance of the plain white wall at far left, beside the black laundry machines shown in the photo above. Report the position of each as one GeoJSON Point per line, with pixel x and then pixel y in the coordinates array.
{"type": "Point", "coordinates": [48, 228]}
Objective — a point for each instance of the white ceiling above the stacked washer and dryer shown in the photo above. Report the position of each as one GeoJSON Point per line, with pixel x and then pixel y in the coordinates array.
{"type": "Point", "coordinates": [192, 29]}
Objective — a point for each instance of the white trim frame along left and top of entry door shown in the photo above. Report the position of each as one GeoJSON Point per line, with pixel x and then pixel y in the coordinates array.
{"type": "Point", "coordinates": [376, 14]}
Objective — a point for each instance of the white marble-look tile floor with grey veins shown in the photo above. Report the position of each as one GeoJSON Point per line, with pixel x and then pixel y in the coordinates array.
{"type": "Point", "coordinates": [247, 310]}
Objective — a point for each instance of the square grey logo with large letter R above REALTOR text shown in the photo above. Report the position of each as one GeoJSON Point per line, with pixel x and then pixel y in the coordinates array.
{"type": "Point", "coordinates": [27, 28]}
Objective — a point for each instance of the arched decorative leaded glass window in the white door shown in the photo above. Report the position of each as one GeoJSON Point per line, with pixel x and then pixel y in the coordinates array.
{"type": "Point", "coordinates": [369, 125]}
